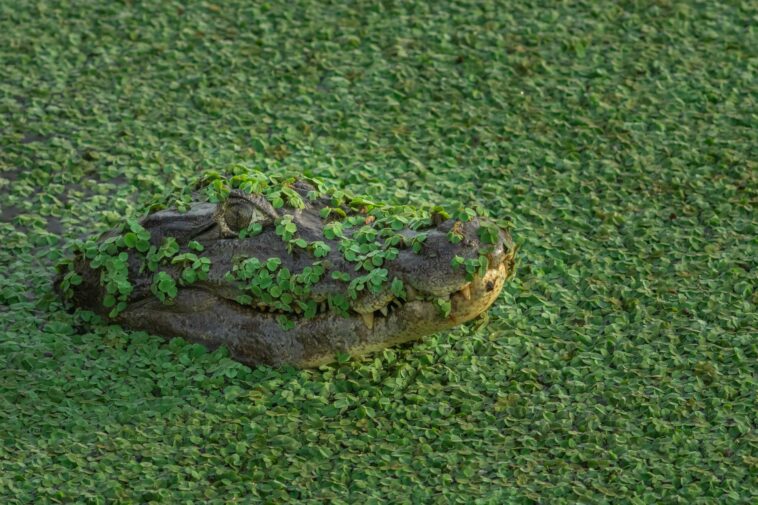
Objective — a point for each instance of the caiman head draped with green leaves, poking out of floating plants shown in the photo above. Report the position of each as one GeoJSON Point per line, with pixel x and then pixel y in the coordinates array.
{"type": "Point", "coordinates": [282, 270]}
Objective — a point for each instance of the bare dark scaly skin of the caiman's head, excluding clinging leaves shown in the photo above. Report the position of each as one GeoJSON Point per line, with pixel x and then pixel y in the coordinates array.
{"type": "Point", "coordinates": [209, 312]}
